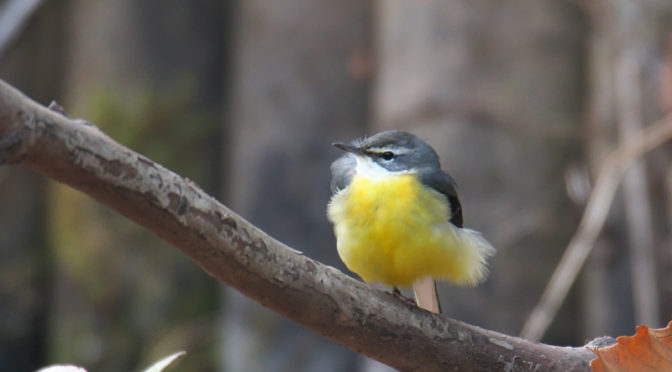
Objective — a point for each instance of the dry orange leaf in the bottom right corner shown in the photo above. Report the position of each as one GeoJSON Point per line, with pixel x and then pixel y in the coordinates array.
{"type": "Point", "coordinates": [648, 350]}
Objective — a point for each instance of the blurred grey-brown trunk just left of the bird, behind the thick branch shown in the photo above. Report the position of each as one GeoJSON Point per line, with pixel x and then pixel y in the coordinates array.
{"type": "Point", "coordinates": [301, 77]}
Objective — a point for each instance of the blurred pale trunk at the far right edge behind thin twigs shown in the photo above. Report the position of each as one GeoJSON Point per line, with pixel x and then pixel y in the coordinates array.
{"type": "Point", "coordinates": [628, 84]}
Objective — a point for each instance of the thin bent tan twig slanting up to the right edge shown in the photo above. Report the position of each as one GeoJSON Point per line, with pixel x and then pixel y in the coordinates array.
{"type": "Point", "coordinates": [591, 224]}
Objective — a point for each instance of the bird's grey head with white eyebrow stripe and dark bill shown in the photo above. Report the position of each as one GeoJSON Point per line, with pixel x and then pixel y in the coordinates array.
{"type": "Point", "coordinates": [393, 150]}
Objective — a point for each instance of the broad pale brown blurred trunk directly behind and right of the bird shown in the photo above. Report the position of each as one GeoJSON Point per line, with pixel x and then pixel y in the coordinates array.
{"type": "Point", "coordinates": [502, 106]}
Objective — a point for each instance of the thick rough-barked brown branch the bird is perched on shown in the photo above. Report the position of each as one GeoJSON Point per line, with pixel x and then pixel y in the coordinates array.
{"type": "Point", "coordinates": [235, 252]}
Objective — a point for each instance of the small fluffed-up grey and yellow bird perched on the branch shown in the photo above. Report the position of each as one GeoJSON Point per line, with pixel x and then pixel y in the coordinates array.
{"type": "Point", "coordinates": [398, 220]}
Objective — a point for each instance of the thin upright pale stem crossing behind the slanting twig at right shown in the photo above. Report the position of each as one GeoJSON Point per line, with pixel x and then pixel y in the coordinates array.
{"type": "Point", "coordinates": [636, 197]}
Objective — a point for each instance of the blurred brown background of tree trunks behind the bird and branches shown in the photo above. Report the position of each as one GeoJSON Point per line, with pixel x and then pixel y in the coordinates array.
{"type": "Point", "coordinates": [522, 99]}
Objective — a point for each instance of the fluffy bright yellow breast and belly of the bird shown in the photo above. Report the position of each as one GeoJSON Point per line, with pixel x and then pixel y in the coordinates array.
{"type": "Point", "coordinates": [393, 230]}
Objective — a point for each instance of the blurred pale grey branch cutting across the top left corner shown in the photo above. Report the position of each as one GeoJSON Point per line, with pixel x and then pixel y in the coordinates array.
{"type": "Point", "coordinates": [14, 15]}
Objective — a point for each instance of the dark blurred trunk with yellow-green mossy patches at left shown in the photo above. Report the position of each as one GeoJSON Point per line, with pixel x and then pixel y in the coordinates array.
{"type": "Point", "coordinates": [153, 69]}
